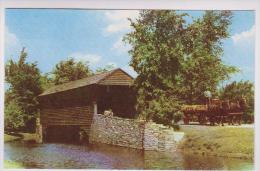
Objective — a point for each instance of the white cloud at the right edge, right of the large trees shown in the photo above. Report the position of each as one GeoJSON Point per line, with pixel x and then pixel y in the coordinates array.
{"type": "Point", "coordinates": [245, 37]}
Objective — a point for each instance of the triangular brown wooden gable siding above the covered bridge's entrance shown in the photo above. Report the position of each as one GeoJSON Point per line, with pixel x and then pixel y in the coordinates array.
{"type": "Point", "coordinates": [117, 78]}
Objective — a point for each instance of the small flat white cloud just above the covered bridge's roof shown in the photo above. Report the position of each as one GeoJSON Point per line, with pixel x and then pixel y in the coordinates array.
{"type": "Point", "coordinates": [91, 58]}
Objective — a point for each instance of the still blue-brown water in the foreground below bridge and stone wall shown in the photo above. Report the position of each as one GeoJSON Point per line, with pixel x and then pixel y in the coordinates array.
{"type": "Point", "coordinates": [100, 156]}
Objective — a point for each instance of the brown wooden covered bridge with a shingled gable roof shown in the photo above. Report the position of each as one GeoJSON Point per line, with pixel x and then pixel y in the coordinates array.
{"type": "Point", "coordinates": [68, 108]}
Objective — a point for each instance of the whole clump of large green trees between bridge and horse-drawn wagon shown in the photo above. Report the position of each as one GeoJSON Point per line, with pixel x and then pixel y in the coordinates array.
{"type": "Point", "coordinates": [171, 56]}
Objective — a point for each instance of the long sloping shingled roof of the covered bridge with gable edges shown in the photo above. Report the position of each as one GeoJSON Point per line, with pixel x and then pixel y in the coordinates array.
{"type": "Point", "coordinates": [94, 79]}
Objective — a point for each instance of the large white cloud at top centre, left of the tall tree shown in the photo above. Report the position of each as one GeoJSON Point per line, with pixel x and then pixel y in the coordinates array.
{"type": "Point", "coordinates": [118, 20]}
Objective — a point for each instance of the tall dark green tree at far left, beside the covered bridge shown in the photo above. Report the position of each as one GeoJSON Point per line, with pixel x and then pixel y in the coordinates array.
{"type": "Point", "coordinates": [25, 86]}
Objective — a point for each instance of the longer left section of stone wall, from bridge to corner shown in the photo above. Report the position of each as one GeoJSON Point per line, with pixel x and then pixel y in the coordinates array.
{"type": "Point", "coordinates": [117, 131]}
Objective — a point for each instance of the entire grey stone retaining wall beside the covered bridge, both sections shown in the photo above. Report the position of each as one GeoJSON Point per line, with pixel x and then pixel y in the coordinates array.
{"type": "Point", "coordinates": [132, 133]}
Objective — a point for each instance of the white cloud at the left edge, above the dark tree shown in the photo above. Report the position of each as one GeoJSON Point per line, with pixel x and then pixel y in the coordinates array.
{"type": "Point", "coordinates": [12, 43]}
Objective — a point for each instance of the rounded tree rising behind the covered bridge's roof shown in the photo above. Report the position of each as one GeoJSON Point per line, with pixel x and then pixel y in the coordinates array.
{"type": "Point", "coordinates": [70, 70]}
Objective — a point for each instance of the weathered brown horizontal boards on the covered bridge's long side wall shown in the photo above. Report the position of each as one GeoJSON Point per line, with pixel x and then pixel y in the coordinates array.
{"type": "Point", "coordinates": [81, 116]}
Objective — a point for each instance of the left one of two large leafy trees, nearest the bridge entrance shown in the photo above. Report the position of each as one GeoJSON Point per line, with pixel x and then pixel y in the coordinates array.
{"type": "Point", "coordinates": [153, 58]}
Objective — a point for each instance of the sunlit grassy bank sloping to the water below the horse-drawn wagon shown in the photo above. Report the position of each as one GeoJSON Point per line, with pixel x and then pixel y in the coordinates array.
{"type": "Point", "coordinates": [218, 141]}
